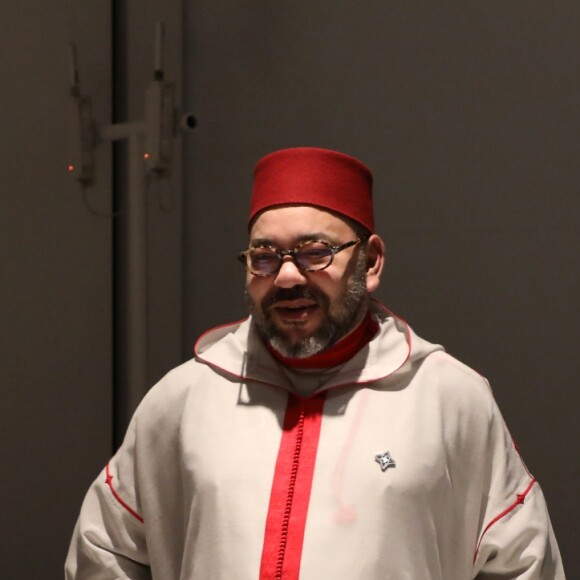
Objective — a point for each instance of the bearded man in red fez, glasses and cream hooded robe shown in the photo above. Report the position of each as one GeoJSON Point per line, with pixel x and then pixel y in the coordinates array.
{"type": "Point", "coordinates": [320, 438]}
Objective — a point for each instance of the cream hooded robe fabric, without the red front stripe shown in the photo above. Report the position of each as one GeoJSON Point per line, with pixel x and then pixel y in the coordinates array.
{"type": "Point", "coordinates": [198, 462]}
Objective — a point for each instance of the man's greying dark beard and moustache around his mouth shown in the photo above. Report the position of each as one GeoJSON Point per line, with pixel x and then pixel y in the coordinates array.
{"type": "Point", "coordinates": [339, 318]}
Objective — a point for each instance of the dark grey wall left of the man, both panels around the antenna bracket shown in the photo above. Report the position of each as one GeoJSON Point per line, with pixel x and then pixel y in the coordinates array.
{"type": "Point", "coordinates": [62, 373]}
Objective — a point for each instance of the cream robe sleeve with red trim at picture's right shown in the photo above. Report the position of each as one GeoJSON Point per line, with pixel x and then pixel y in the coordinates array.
{"type": "Point", "coordinates": [516, 539]}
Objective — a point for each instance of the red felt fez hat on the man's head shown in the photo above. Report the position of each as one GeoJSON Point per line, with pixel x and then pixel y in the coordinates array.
{"type": "Point", "coordinates": [312, 176]}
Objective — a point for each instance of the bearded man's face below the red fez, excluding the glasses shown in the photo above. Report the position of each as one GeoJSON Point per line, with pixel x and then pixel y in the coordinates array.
{"type": "Point", "coordinates": [301, 313]}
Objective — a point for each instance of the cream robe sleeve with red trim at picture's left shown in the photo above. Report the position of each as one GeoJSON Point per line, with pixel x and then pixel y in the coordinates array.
{"type": "Point", "coordinates": [109, 542]}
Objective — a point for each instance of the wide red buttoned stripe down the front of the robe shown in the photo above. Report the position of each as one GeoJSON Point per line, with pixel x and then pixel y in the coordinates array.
{"type": "Point", "coordinates": [290, 496]}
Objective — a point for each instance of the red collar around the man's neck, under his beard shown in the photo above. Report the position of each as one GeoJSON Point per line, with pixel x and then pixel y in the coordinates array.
{"type": "Point", "coordinates": [342, 351]}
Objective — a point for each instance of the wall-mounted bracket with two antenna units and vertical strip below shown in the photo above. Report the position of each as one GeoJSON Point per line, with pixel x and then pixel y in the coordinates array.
{"type": "Point", "coordinates": [151, 144]}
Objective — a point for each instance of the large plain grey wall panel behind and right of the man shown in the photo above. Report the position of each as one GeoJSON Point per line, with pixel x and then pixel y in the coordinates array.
{"type": "Point", "coordinates": [468, 113]}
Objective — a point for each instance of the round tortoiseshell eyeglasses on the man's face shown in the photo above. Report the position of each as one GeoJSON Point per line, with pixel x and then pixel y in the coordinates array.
{"type": "Point", "coordinates": [310, 256]}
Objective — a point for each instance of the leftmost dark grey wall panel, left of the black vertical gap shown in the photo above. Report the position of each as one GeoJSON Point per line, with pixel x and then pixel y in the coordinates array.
{"type": "Point", "coordinates": [55, 285]}
